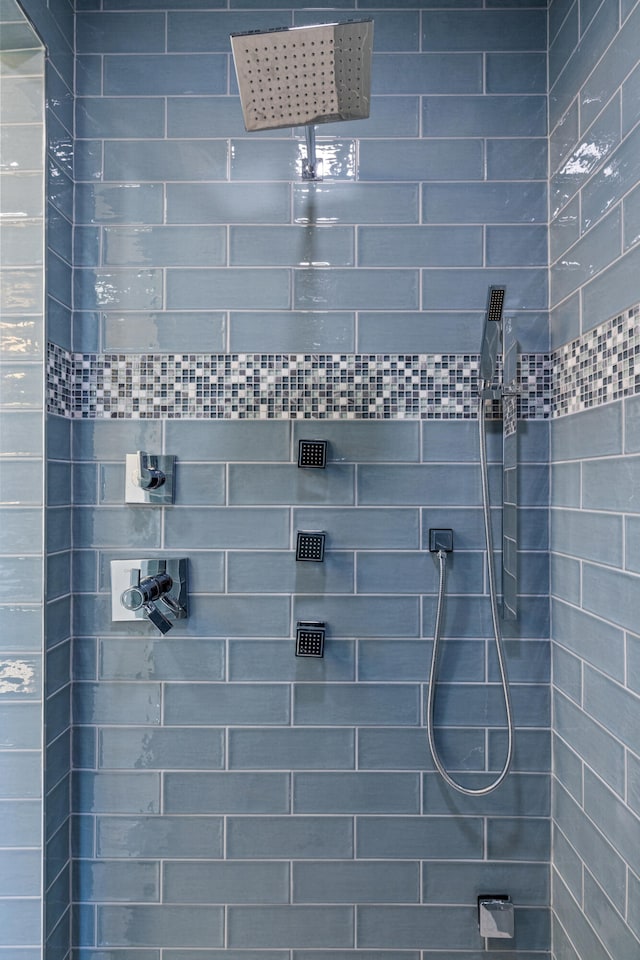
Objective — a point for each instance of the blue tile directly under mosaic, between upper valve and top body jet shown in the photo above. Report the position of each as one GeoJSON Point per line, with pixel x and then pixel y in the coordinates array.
{"type": "Point", "coordinates": [222, 441]}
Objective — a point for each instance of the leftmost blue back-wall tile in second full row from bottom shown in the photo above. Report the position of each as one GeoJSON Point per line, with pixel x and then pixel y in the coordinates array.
{"type": "Point", "coordinates": [104, 881]}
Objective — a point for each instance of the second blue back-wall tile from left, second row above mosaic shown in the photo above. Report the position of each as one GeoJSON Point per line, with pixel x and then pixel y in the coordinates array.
{"type": "Point", "coordinates": [239, 289]}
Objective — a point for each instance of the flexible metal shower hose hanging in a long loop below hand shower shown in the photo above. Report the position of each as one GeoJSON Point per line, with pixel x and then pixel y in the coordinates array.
{"type": "Point", "coordinates": [497, 634]}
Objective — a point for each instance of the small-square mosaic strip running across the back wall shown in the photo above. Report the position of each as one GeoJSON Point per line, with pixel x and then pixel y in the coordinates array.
{"type": "Point", "coordinates": [282, 386]}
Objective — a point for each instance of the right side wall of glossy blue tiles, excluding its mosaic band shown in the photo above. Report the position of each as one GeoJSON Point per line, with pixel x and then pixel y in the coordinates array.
{"type": "Point", "coordinates": [595, 255]}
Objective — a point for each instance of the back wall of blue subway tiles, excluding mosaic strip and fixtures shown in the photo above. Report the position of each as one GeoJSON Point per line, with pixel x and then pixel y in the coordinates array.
{"type": "Point", "coordinates": [231, 800]}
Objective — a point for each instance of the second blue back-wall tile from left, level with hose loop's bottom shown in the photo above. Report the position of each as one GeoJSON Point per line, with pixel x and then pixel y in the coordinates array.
{"type": "Point", "coordinates": [226, 793]}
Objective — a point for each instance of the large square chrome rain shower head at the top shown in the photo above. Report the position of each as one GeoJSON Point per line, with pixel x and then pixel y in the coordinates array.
{"type": "Point", "coordinates": [304, 75]}
